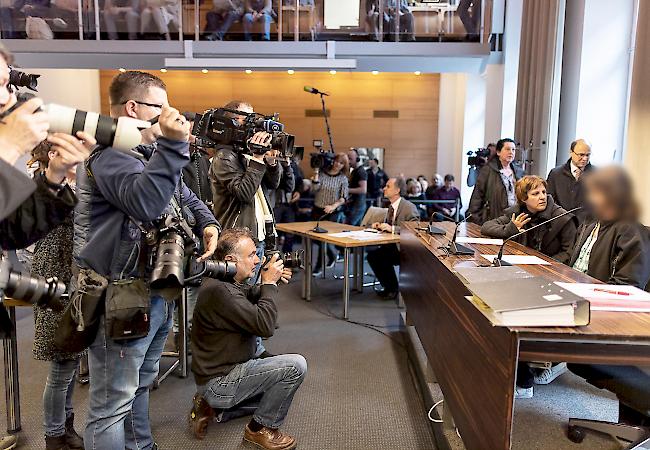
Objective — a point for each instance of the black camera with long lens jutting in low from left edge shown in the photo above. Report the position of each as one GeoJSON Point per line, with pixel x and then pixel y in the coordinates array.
{"type": "Point", "coordinates": [45, 293]}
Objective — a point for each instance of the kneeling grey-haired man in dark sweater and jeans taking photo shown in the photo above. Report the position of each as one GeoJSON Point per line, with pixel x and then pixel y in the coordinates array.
{"type": "Point", "coordinates": [228, 374]}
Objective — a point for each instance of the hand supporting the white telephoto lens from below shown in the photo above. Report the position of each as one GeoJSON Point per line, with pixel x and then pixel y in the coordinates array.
{"type": "Point", "coordinates": [70, 151]}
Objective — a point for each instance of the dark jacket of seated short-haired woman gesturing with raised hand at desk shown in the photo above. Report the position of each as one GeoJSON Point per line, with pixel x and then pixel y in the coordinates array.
{"type": "Point", "coordinates": [555, 239]}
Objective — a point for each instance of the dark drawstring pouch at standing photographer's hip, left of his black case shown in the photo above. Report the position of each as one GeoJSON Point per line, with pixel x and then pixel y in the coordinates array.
{"type": "Point", "coordinates": [78, 327]}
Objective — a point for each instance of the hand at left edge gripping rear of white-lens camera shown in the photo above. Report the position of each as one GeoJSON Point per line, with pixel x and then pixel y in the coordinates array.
{"type": "Point", "coordinates": [22, 130]}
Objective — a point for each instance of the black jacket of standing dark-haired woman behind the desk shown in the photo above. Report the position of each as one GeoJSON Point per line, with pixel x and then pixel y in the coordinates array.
{"type": "Point", "coordinates": [489, 197]}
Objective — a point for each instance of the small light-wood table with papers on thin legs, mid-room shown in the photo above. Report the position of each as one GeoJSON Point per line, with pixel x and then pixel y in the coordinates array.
{"type": "Point", "coordinates": [304, 230]}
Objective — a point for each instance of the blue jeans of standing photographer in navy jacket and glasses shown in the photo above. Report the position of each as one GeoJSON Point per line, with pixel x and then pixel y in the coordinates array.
{"type": "Point", "coordinates": [120, 373]}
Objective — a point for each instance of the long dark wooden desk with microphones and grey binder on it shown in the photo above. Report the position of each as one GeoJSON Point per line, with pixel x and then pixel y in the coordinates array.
{"type": "Point", "coordinates": [474, 361]}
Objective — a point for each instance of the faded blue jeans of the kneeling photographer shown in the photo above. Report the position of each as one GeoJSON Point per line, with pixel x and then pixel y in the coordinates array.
{"type": "Point", "coordinates": [277, 378]}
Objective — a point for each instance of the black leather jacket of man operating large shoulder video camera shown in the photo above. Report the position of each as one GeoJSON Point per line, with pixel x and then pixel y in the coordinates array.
{"type": "Point", "coordinates": [234, 184]}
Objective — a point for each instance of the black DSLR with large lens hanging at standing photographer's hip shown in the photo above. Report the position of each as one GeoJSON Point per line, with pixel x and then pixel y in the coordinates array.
{"type": "Point", "coordinates": [175, 256]}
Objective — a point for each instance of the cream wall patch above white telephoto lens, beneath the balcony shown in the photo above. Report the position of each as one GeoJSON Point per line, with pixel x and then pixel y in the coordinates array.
{"type": "Point", "coordinates": [78, 88]}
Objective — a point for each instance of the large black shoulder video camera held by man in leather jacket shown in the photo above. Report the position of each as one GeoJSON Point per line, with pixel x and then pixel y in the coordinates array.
{"type": "Point", "coordinates": [220, 127]}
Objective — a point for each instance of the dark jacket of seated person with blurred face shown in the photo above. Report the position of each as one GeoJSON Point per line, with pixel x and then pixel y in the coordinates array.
{"type": "Point", "coordinates": [620, 255]}
